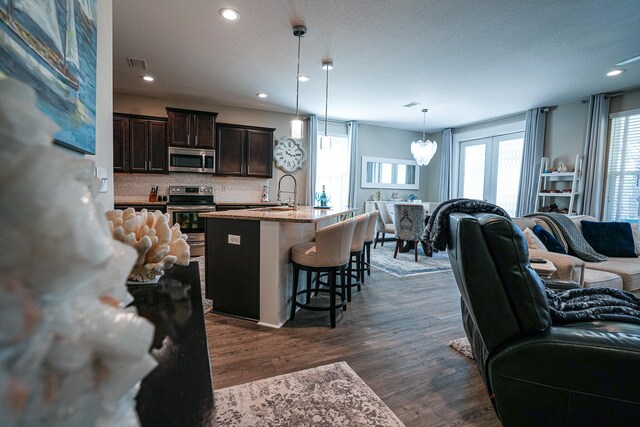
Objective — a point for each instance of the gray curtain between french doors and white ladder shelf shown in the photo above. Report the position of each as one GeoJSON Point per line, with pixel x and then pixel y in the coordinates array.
{"type": "Point", "coordinates": [534, 129]}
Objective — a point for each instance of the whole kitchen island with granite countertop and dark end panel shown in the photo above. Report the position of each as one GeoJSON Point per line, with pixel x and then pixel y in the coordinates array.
{"type": "Point", "coordinates": [248, 260]}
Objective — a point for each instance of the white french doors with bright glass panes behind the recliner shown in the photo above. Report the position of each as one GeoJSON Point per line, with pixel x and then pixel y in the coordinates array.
{"type": "Point", "coordinates": [490, 169]}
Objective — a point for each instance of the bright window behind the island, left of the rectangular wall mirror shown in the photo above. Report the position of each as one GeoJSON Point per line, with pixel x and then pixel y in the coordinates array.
{"type": "Point", "coordinates": [333, 162]}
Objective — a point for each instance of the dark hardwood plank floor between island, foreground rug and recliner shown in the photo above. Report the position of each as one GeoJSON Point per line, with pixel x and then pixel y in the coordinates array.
{"type": "Point", "coordinates": [394, 335]}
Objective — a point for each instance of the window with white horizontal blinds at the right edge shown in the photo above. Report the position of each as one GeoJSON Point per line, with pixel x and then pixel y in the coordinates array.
{"type": "Point", "coordinates": [622, 192]}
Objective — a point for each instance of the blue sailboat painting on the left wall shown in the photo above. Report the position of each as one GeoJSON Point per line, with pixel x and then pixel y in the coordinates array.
{"type": "Point", "coordinates": [51, 45]}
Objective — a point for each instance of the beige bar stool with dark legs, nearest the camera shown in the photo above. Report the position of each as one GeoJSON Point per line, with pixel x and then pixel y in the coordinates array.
{"type": "Point", "coordinates": [329, 253]}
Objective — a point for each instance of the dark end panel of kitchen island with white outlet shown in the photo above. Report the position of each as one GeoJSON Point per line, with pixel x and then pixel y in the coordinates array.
{"type": "Point", "coordinates": [233, 267]}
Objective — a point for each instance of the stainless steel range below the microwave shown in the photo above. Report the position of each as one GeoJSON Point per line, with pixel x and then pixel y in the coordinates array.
{"type": "Point", "coordinates": [183, 207]}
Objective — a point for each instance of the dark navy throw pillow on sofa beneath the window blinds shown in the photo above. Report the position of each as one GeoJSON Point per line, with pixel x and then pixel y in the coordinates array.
{"type": "Point", "coordinates": [610, 238]}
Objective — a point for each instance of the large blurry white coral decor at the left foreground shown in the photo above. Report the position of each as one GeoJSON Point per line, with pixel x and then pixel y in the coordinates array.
{"type": "Point", "coordinates": [71, 352]}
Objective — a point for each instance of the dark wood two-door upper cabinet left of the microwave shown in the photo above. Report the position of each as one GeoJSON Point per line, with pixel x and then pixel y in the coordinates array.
{"type": "Point", "coordinates": [139, 144]}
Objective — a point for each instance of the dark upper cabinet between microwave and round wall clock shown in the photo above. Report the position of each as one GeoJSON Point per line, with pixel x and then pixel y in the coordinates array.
{"type": "Point", "coordinates": [244, 150]}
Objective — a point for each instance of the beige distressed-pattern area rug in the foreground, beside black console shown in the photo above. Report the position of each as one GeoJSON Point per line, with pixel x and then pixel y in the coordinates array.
{"type": "Point", "coordinates": [329, 395]}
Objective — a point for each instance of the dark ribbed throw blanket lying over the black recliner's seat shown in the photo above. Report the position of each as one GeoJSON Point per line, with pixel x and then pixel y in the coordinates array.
{"type": "Point", "coordinates": [584, 304]}
